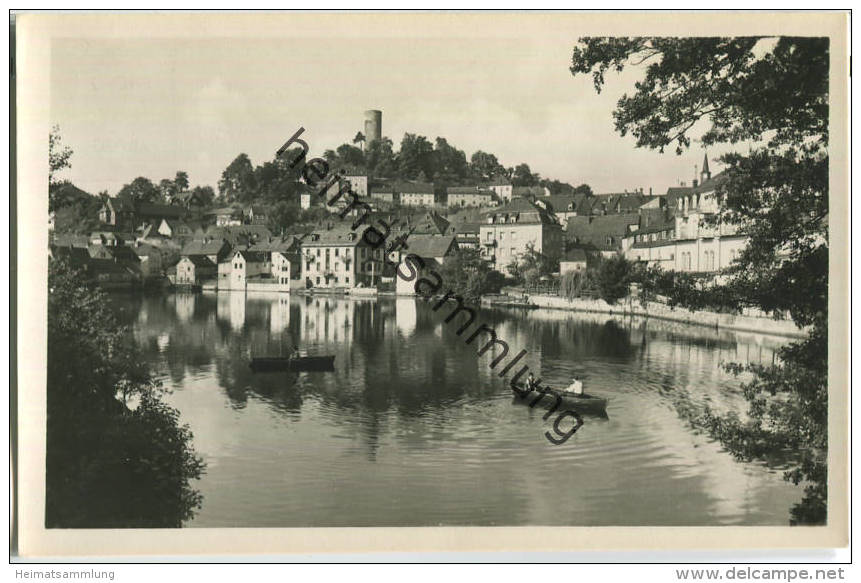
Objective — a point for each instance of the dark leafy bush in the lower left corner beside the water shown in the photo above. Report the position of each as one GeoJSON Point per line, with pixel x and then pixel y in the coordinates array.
{"type": "Point", "coordinates": [116, 455]}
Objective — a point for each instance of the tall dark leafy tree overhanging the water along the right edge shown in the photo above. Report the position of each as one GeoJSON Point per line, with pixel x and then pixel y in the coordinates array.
{"type": "Point", "coordinates": [773, 93]}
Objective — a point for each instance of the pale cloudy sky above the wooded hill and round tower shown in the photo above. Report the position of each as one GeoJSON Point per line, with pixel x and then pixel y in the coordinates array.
{"type": "Point", "coordinates": [150, 106]}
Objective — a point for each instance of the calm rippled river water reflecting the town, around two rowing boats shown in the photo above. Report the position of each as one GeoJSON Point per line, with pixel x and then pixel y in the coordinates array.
{"type": "Point", "coordinates": [414, 429]}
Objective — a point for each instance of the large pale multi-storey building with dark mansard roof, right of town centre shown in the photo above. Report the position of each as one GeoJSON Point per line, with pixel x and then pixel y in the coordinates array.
{"type": "Point", "coordinates": [510, 230]}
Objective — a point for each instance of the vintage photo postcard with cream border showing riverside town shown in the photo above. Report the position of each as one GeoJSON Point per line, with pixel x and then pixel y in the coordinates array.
{"type": "Point", "coordinates": [443, 281]}
